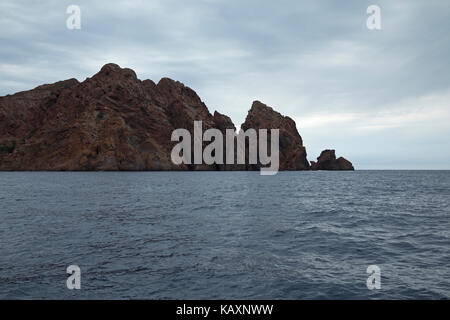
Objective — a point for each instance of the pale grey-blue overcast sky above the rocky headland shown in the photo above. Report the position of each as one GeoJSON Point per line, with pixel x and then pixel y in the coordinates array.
{"type": "Point", "coordinates": [381, 98]}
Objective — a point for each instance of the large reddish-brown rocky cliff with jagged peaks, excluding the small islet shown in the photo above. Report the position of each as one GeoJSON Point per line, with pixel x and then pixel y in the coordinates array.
{"type": "Point", "coordinates": [114, 121]}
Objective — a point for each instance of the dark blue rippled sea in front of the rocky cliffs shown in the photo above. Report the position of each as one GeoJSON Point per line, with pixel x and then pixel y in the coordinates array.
{"type": "Point", "coordinates": [225, 235]}
